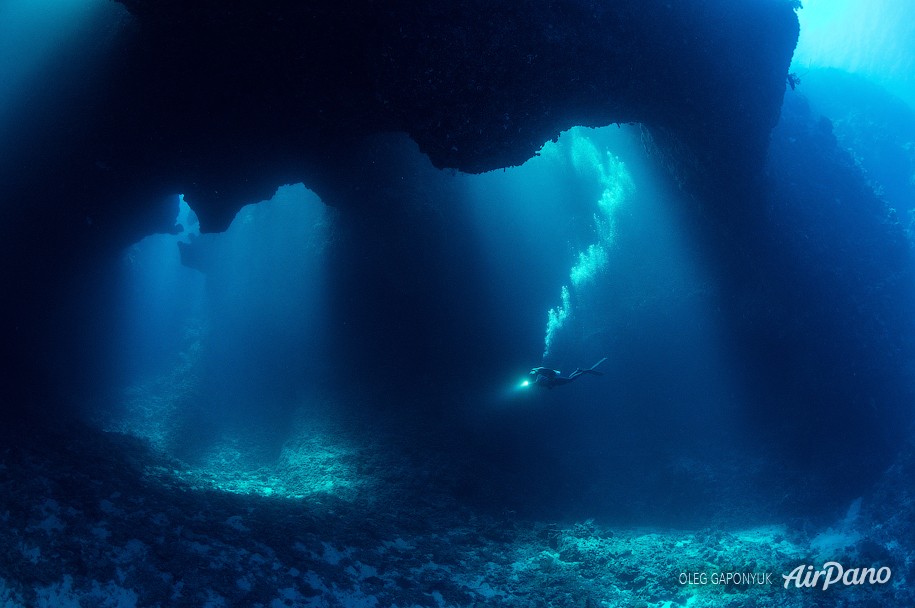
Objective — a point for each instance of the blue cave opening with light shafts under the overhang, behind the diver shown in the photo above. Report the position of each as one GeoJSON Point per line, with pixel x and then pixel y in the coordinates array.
{"type": "Point", "coordinates": [230, 337]}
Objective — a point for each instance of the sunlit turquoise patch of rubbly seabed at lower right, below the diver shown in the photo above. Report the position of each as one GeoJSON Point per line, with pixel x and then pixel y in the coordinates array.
{"type": "Point", "coordinates": [667, 568]}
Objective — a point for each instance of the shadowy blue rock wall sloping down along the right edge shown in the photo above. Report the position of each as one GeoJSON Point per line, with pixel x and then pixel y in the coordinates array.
{"type": "Point", "coordinates": [819, 301]}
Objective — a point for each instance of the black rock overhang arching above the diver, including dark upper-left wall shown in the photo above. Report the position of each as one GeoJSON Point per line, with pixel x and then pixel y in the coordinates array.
{"type": "Point", "coordinates": [225, 100]}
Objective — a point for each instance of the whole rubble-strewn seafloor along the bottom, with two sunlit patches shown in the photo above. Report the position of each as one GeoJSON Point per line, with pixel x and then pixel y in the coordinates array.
{"type": "Point", "coordinates": [104, 519]}
